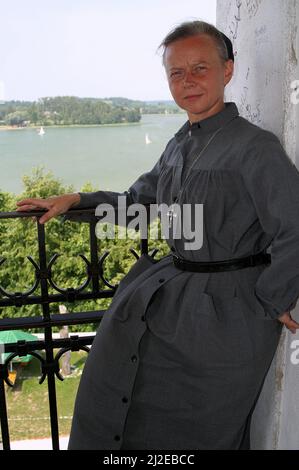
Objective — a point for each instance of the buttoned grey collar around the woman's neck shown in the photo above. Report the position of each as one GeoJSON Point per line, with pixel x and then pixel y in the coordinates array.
{"type": "Point", "coordinates": [211, 123]}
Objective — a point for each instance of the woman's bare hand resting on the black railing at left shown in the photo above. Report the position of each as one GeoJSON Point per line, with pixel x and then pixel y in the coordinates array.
{"type": "Point", "coordinates": [55, 205]}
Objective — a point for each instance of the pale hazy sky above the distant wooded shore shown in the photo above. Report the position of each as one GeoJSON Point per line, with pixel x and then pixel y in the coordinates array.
{"type": "Point", "coordinates": [89, 48]}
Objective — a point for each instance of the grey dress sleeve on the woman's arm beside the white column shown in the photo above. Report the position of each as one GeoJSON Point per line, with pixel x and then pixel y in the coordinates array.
{"type": "Point", "coordinates": [272, 181]}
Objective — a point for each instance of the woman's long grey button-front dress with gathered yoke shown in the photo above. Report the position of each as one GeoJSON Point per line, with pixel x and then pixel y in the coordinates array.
{"type": "Point", "coordinates": [179, 358]}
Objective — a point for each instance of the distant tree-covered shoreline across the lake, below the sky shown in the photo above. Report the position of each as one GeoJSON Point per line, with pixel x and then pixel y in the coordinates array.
{"type": "Point", "coordinates": [71, 110]}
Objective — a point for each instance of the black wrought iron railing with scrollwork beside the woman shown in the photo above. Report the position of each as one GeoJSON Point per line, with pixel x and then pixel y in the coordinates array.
{"type": "Point", "coordinates": [90, 289]}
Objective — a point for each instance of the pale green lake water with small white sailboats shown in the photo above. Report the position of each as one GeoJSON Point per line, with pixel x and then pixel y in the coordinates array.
{"type": "Point", "coordinates": [109, 157]}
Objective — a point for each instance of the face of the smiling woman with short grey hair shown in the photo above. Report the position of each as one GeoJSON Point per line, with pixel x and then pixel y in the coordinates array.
{"type": "Point", "coordinates": [197, 75]}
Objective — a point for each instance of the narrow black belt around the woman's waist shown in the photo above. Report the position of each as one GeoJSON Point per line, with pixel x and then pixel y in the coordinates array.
{"type": "Point", "coordinates": [225, 265]}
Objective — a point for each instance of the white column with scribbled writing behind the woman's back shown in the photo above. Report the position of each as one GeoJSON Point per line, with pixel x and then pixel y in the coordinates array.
{"type": "Point", "coordinates": [265, 34]}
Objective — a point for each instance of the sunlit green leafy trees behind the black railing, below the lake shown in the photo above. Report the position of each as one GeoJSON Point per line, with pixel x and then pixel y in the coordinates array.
{"type": "Point", "coordinates": [18, 239]}
